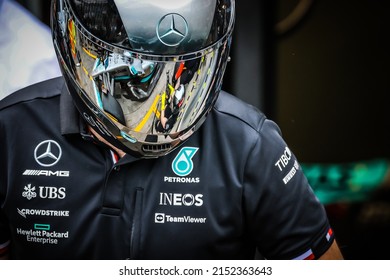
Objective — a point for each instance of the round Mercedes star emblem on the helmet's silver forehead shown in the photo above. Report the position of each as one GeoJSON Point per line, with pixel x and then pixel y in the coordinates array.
{"type": "Point", "coordinates": [172, 29]}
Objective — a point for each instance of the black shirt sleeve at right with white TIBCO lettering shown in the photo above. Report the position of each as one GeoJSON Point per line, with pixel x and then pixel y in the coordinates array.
{"type": "Point", "coordinates": [284, 216]}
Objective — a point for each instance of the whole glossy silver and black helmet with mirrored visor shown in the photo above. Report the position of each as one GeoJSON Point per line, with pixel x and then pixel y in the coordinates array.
{"type": "Point", "coordinates": [123, 60]}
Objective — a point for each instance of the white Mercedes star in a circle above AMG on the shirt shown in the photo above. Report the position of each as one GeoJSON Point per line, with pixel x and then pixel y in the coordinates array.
{"type": "Point", "coordinates": [47, 153]}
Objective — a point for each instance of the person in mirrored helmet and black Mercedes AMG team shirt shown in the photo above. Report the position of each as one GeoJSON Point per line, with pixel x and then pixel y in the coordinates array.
{"type": "Point", "coordinates": [84, 174]}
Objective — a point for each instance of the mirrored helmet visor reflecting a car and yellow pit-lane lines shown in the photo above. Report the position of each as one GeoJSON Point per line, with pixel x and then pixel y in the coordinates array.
{"type": "Point", "coordinates": [142, 95]}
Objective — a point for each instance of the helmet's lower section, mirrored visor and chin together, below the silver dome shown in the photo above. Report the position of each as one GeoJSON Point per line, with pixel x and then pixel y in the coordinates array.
{"type": "Point", "coordinates": [142, 103]}
